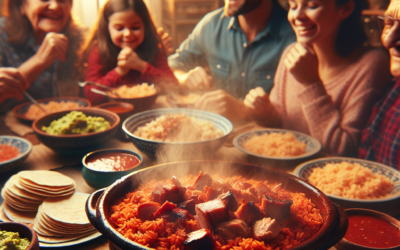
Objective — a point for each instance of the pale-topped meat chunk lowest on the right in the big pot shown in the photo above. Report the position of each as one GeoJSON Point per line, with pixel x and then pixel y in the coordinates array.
{"type": "Point", "coordinates": [266, 229]}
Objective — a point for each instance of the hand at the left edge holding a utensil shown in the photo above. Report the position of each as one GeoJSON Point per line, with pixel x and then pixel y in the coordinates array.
{"type": "Point", "coordinates": [12, 84]}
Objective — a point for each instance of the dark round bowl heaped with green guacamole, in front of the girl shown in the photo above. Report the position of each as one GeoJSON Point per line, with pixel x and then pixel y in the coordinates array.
{"type": "Point", "coordinates": [76, 132]}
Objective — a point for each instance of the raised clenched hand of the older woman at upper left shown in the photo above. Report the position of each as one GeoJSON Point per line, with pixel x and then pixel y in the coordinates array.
{"type": "Point", "coordinates": [53, 46]}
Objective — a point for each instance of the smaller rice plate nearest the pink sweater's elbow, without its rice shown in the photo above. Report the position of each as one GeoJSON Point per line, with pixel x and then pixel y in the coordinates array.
{"type": "Point", "coordinates": [313, 146]}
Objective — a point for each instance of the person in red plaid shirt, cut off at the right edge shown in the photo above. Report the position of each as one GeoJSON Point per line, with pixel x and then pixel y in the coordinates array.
{"type": "Point", "coordinates": [381, 137]}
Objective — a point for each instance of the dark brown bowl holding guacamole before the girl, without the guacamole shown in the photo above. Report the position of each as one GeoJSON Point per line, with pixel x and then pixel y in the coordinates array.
{"type": "Point", "coordinates": [76, 144]}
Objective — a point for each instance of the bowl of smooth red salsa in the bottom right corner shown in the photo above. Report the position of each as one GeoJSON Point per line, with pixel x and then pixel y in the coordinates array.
{"type": "Point", "coordinates": [369, 229]}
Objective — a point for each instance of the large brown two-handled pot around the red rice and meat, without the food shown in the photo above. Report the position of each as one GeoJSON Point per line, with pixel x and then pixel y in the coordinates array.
{"type": "Point", "coordinates": [98, 206]}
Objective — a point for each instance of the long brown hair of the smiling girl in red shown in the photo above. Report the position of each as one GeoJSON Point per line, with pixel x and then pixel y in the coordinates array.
{"type": "Point", "coordinates": [147, 51]}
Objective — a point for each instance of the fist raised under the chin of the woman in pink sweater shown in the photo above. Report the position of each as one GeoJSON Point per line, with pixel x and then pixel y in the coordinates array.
{"type": "Point", "coordinates": [302, 63]}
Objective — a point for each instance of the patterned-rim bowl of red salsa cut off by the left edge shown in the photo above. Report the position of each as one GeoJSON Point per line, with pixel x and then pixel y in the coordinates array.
{"type": "Point", "coordinates": [13, 151]}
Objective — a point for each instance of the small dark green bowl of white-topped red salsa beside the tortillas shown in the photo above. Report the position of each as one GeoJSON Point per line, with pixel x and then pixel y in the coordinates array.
{"type": "Point", "coordinates": [103, 167]}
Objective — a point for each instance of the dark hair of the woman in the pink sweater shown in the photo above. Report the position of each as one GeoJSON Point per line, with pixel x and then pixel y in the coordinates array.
{"type": "Point", "coordinates": [351, 32]}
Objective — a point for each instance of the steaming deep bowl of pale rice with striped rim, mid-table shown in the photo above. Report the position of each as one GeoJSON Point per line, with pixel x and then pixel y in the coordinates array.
{"type": "Point", "coordinates": [177, 133]}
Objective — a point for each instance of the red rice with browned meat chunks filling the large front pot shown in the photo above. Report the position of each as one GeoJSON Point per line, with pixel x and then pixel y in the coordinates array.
{"type": "Point", "coordinates": [203, 212]}
